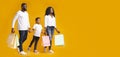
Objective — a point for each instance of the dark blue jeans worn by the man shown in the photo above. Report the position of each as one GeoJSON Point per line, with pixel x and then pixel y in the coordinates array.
{"type": "Point", "coordinates": [23, 37]}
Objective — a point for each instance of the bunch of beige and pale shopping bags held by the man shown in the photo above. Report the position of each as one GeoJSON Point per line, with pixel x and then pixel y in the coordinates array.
{"type": "Point", "coordinates": [13, 41]}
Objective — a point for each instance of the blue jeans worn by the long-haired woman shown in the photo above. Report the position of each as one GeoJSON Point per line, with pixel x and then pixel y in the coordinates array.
{"type": "Point", "coordinates": [50, 32]}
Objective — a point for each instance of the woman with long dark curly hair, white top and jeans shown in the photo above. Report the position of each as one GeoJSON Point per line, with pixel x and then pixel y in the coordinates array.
{"type": "Point", "coordinates": [50, 25]}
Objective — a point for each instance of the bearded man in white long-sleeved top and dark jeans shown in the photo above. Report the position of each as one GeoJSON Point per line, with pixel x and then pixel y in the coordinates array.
{"type": "Point", "coordinates": [23, 26]}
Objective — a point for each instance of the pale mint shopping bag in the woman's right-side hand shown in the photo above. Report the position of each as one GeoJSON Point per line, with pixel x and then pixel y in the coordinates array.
{"type": "Point", "coordinates": [59, 40]}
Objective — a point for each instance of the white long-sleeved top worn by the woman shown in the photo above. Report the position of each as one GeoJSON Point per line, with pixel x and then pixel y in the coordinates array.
{"type": "Point", "coordinates": [50, 21]}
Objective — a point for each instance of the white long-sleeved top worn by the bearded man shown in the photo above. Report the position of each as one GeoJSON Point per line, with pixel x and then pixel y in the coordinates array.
{"type": "Point", "coordinates": [23, 20]}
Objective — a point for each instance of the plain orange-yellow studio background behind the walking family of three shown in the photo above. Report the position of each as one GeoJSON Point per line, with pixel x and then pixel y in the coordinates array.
{"type": "Point", "coordinates": [91, 27]}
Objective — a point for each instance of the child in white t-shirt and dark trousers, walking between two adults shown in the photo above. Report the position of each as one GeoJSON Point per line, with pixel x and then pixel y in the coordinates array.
{"type": "Point", "coordinates": [38, 28]}
